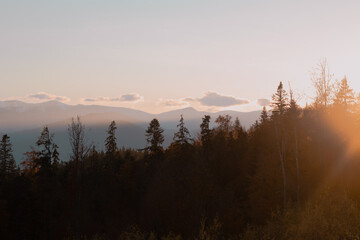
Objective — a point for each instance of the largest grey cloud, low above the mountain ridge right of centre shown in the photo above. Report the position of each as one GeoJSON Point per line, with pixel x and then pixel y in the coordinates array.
{"type": "Point", "coordinates": [216, 100]}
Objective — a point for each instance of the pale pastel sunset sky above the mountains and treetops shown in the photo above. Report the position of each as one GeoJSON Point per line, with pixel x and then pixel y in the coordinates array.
{"type": "Point", "coordinates": [157, 56]}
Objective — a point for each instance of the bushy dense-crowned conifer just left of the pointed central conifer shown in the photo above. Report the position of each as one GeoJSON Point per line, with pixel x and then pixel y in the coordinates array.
{"type": "Point", "coordinates": [154, 136]}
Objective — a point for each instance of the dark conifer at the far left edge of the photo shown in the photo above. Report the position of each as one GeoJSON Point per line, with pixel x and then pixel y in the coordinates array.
{"type": "Point", "coordinates": [7, 162]}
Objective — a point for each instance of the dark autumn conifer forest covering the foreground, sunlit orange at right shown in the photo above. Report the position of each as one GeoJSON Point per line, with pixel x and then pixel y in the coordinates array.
{"type": "Point", "coordinates": [295, 174]}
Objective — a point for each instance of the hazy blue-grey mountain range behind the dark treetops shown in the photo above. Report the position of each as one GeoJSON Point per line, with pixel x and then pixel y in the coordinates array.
{"type": "Point", "coordinates": [24, 122]}
